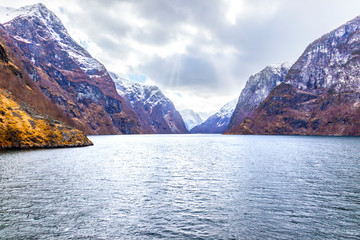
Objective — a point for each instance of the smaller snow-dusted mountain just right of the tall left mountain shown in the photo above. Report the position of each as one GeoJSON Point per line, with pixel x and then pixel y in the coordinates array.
{"type": "Point", "coordinates": [156, 112]}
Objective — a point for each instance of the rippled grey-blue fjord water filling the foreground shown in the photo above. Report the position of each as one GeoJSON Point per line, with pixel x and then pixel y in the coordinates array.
{"type": "Point", "coordinates": [184, 187]}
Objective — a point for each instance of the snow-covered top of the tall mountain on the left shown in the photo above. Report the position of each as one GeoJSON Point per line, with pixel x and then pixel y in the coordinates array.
{"type": "Point", "coordinates": [43, 27]}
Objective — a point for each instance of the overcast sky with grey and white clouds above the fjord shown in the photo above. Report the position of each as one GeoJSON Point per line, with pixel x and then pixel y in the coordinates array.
{"type": "Point", "coordinates": [199, 52]}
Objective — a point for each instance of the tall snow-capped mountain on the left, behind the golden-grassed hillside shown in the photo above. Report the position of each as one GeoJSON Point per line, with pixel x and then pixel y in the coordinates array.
{"type": "Point", "coordinates": [67, 74]}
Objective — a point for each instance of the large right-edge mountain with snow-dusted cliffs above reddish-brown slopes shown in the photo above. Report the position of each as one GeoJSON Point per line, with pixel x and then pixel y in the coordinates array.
{"type": "Point", "coordinates": [320, 94]}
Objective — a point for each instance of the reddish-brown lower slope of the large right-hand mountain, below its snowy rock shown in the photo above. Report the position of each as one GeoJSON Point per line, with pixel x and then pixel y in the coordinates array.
{"type": "Point", "coordinates": [289, 111]}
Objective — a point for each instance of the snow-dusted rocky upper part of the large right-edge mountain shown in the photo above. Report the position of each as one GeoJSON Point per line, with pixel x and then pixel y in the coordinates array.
{"type": "Point", "coordinates": [330, 62]}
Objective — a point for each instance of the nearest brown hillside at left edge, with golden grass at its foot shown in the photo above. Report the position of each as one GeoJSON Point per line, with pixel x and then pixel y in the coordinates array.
{"type": "Point", "coordinates": [27, 117]}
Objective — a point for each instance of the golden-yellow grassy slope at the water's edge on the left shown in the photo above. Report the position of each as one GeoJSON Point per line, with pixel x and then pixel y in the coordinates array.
{"type": "Point", "coordinates": [21, 126]}
